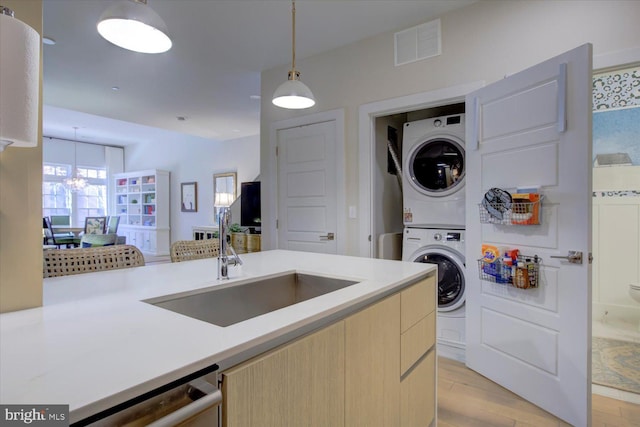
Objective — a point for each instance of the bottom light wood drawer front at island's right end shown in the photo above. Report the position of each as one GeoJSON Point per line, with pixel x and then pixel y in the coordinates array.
{"type": "Point", "coordinates": [417, 392]}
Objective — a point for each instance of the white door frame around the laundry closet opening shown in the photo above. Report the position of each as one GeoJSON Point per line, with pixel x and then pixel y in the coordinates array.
{"type": "Point", "coordinates": [367, 115]}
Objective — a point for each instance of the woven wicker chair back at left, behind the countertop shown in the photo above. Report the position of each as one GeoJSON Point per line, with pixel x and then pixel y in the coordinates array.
{"type": "Point", "coordinates": [65, 262]}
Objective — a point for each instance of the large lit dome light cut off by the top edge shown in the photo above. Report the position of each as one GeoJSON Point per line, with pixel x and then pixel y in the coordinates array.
{"type": "Point", "coordinates": [133, 25]}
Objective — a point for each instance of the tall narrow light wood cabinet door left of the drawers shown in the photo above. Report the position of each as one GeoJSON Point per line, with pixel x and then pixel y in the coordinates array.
{"type": "Point", "coordinates": [372, 367]}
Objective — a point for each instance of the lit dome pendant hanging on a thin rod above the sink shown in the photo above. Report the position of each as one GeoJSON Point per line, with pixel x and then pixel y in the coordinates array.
{"type": "Point", "coordinates": [293, 94]}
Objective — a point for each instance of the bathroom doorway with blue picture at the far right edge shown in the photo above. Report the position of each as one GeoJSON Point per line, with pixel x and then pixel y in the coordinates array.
{"type": "Point", "coordinates": [616, 232]}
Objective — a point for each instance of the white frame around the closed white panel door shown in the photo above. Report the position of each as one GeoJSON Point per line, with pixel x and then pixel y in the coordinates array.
{"type": "Point", "coordinates": [336, 116]}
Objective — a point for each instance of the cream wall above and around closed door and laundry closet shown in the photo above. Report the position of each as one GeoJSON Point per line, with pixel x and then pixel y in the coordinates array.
{"type": "Point", "coordinates": [481, 42]}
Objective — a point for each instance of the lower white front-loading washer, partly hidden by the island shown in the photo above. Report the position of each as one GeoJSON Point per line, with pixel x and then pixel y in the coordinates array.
{"type": "Point", "coordinates": [444, 247]}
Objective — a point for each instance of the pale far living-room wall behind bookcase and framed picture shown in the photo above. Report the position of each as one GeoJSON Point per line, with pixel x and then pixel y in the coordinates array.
{"type": "Point", "coordinates": [192, 159]}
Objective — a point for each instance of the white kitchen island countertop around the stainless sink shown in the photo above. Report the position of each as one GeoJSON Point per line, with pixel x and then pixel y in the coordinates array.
{"type": "Point", "coordinates": [95, 344]}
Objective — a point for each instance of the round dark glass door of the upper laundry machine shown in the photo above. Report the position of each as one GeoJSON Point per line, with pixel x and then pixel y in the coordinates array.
{"type": "Point", "coordinates": [436, 166]}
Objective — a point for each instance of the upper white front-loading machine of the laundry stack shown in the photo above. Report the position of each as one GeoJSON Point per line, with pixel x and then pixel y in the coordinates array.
{"type": "Point", "coordinates": [433, 160]}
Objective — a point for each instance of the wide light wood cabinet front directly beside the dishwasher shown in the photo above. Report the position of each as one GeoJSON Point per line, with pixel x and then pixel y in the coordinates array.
{"type": "Point", "coordinates": [299, 384]}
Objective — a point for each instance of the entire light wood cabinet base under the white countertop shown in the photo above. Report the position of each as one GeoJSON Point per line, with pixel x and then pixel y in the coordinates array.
{"type": "Point", "coordinates": [374, 368]}
